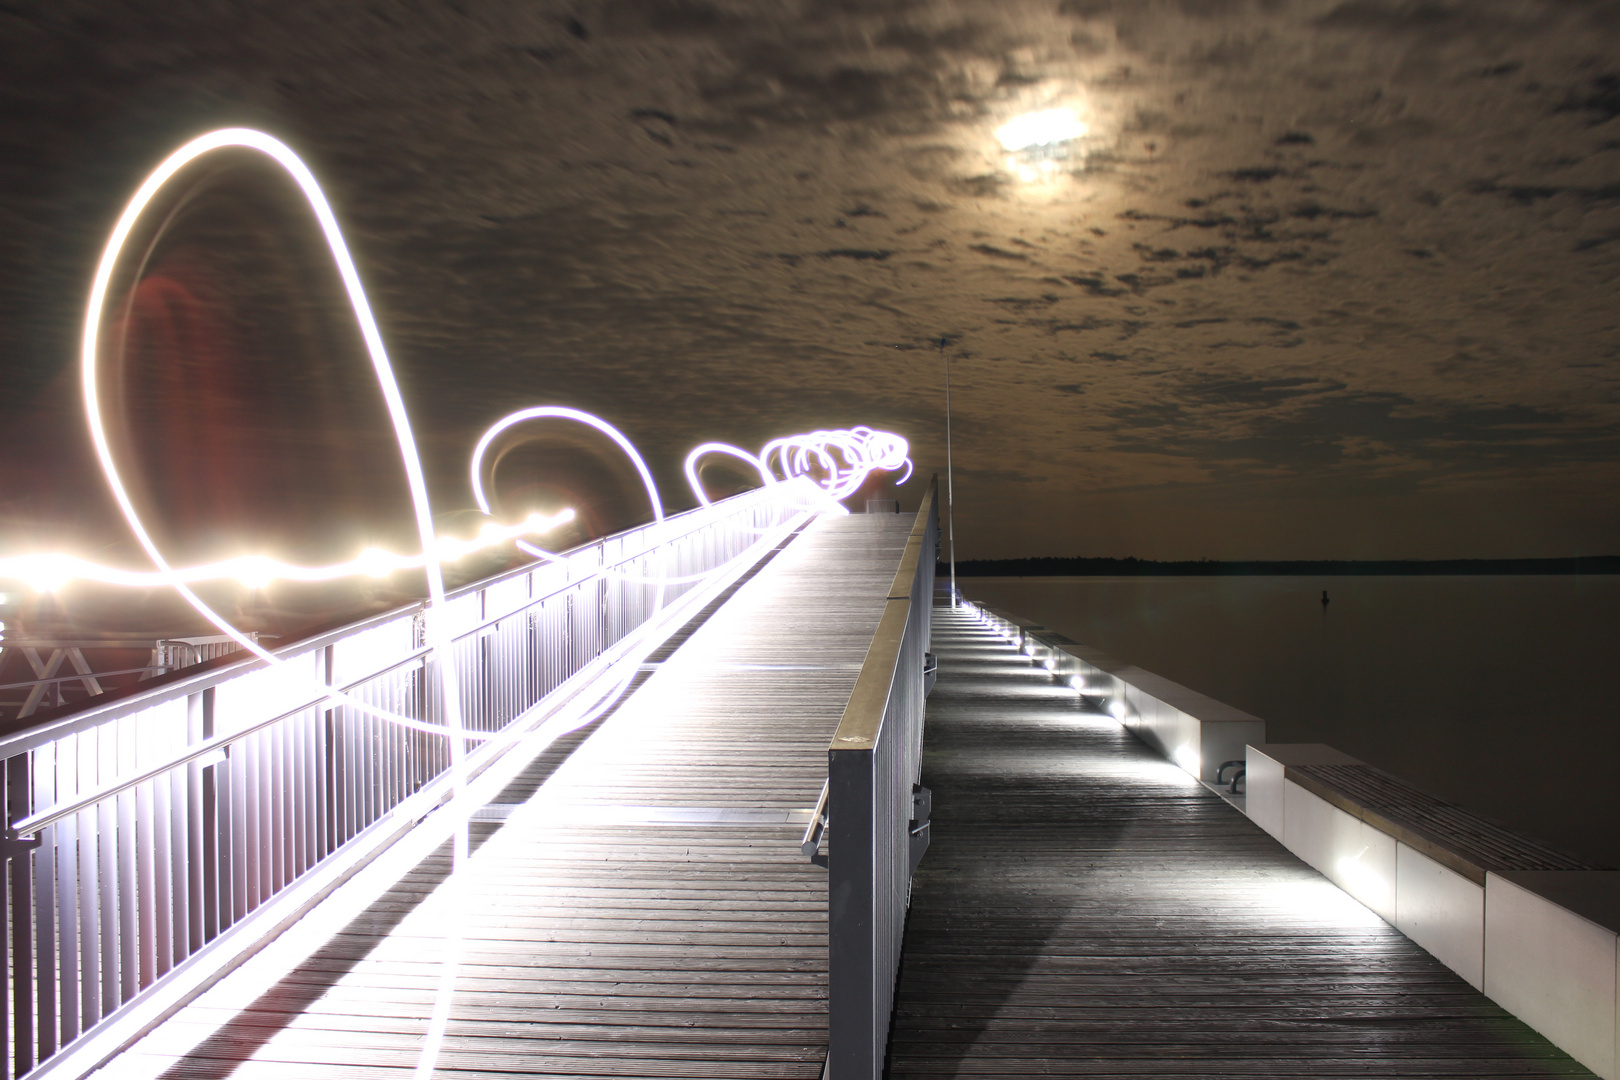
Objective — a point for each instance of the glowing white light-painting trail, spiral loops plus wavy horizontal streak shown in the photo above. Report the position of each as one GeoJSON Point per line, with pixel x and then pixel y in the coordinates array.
{"type": "Point", "coordinates": [832, 464]}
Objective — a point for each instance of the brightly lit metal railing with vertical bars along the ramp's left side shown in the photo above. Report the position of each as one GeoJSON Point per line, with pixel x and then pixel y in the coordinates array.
{"type": "Point", "coordinates": [145, 831]}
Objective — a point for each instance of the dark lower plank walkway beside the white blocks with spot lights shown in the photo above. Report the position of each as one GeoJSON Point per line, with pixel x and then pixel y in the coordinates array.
{"type": "Point", "coordinates": [1089, 911]}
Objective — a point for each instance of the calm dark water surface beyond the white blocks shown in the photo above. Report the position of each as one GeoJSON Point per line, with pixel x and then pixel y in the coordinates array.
{"type": "Point", "coordinates": [1496, 692]}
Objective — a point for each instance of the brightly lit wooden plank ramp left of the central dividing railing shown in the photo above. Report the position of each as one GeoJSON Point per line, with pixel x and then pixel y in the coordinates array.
{"type": "Point", "coordinates": [595, 932]}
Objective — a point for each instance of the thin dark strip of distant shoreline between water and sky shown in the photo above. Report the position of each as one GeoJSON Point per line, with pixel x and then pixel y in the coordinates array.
{"type": "Point", "coordinates": [1089, 568]}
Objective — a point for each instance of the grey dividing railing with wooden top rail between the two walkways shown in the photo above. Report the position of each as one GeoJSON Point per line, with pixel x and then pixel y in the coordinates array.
{"type": "Point", "coordinates": [877, 820]}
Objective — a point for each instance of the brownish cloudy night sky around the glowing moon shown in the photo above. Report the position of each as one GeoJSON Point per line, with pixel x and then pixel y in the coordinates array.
{"type": "Point", "coordinates": [1324, 278]}
